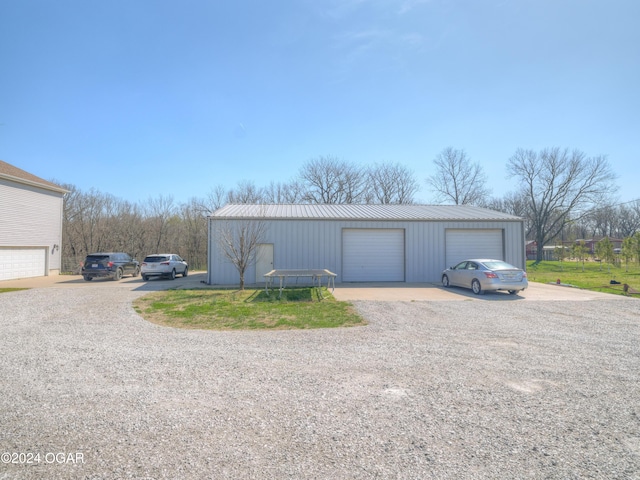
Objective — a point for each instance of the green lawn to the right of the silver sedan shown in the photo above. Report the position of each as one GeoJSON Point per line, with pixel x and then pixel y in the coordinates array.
{"type": "Point", "coordinates": [593, 276]}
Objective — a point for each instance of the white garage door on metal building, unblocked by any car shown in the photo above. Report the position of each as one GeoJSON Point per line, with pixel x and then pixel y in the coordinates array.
{"type": "Point", "coordinates": [372, 255]}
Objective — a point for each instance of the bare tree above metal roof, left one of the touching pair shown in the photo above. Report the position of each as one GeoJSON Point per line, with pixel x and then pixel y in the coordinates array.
{"type": "Point", "coordinates": [329, 180]}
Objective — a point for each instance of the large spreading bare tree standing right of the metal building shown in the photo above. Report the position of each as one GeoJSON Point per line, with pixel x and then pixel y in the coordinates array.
{"type": "Point", "coordinates": [560, 186]}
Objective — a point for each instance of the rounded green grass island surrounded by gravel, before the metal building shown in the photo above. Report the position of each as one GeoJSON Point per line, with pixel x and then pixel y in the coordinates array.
{"type": "Point", "coordinates": [215, 309]}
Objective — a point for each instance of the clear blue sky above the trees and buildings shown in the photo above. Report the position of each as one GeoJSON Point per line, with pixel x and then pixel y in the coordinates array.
{"type": "Point", "coordinates": [138, 98]}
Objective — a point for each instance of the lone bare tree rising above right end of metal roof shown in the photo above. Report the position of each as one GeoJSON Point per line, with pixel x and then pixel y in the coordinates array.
{"type": "Point", "coordinates": [457, 179]}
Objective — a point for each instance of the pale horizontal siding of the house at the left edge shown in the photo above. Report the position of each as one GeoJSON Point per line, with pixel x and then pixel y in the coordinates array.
{"type": "Point", "coordinates": [30, 216]}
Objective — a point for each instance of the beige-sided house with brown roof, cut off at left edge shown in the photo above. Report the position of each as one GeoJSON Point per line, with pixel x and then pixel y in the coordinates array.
{"type": "Point", "coordinates": [30, 224]}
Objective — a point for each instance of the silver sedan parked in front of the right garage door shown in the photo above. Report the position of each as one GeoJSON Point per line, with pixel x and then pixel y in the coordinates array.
{"type": "Point", "coordinates": [481, 275]}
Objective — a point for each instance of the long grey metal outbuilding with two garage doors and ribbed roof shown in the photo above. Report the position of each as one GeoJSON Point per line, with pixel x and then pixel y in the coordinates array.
{"type": "Point", "coordinates": [366, 243]}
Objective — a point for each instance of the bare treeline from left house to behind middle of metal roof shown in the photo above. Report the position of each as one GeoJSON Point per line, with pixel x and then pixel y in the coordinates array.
{"type": "Point", "coordinates": [96, 221]}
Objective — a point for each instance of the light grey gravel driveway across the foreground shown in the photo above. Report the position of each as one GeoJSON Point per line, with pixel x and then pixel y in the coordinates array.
{"type": "Point", "coordinates": [459, 389]}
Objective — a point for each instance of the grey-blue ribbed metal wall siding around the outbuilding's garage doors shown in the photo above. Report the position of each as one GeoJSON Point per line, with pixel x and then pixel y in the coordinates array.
{"type": "Point", "coordinates": [318, 244]}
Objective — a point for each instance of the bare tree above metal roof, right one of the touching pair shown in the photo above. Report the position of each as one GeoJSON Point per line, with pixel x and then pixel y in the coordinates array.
{"type": "Point", "coordinates": [391, 184]}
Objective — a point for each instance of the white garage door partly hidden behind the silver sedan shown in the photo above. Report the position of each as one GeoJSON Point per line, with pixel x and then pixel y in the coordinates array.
{"type": "Point", "coordinates": [473, 243]}
